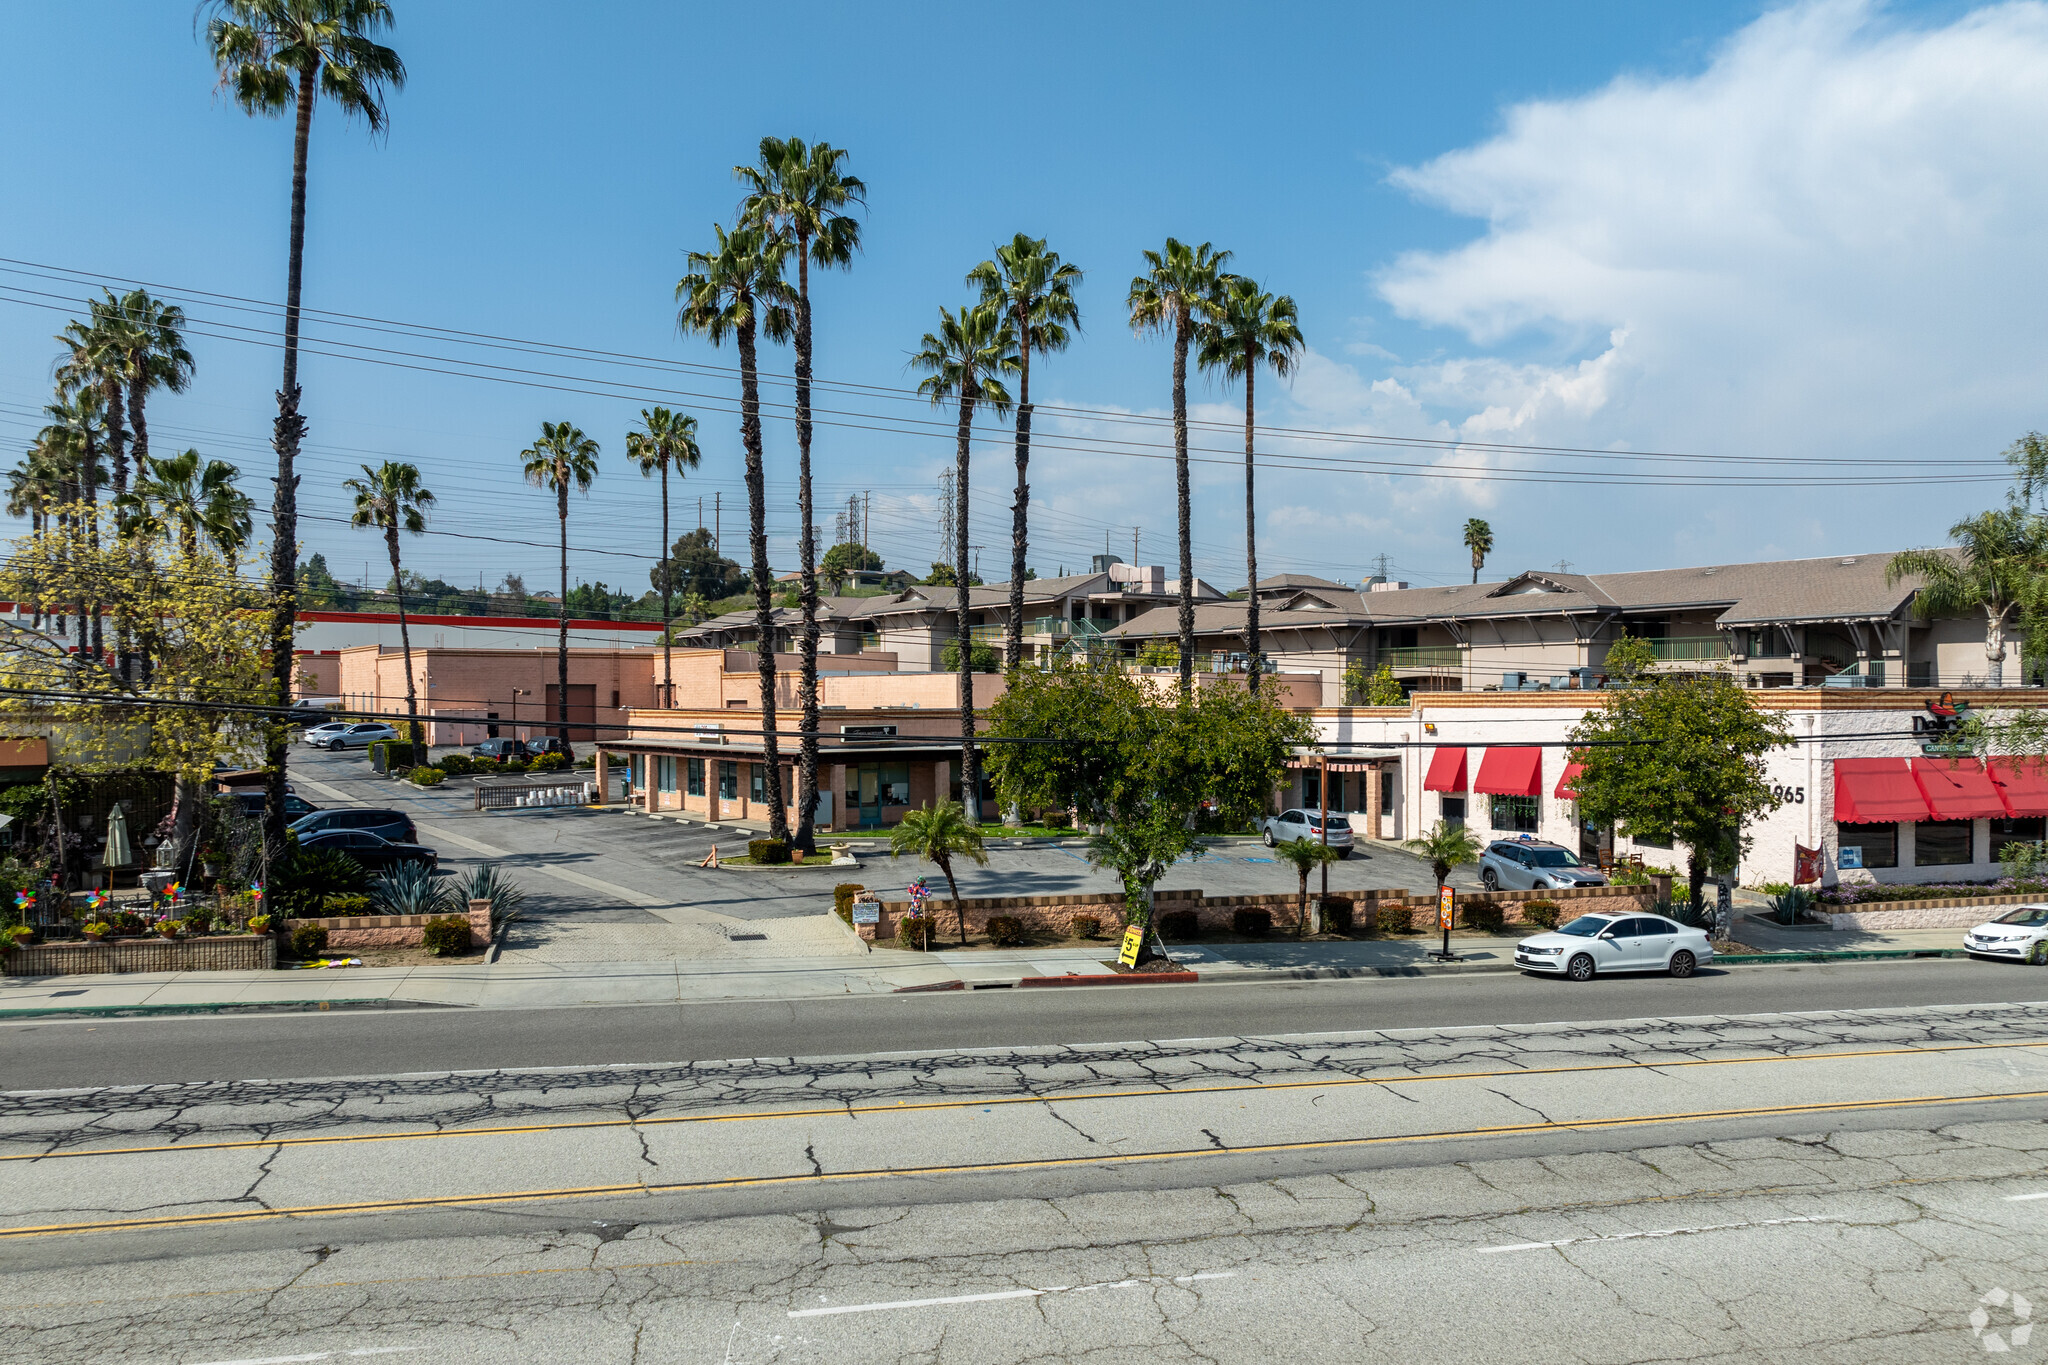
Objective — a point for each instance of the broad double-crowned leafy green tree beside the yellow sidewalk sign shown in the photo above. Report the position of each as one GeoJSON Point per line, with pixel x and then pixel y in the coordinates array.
{"type": "Point", "coordinates": [1140, 764]}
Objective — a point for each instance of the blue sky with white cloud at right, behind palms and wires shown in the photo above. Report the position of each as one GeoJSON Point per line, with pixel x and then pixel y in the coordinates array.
{"type": "Point", "coordinates": [1715, 228]}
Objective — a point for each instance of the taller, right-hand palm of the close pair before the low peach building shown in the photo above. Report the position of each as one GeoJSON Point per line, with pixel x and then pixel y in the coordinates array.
{"type": "Point", "coordinates": [798, 191]}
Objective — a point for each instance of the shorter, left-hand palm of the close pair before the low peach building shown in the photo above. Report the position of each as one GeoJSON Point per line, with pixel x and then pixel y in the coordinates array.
{"type": "Point", "coordinates": [738, 292]}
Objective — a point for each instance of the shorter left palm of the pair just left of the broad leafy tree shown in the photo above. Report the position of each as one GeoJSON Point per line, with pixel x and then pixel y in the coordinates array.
{"type": "Point", "coordinates": [966, 361]}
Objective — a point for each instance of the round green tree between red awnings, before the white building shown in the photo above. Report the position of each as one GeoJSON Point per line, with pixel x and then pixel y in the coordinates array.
{"type": "Point", "coordinates": [1678, 756]}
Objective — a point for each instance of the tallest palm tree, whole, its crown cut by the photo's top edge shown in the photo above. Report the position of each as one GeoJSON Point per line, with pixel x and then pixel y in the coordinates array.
{"type": "Point", "coordinates": [280, 56]}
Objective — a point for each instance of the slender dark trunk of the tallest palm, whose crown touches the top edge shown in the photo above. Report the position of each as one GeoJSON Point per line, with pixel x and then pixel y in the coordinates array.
{"type": "Point", "coordinates": [288, 433]}
